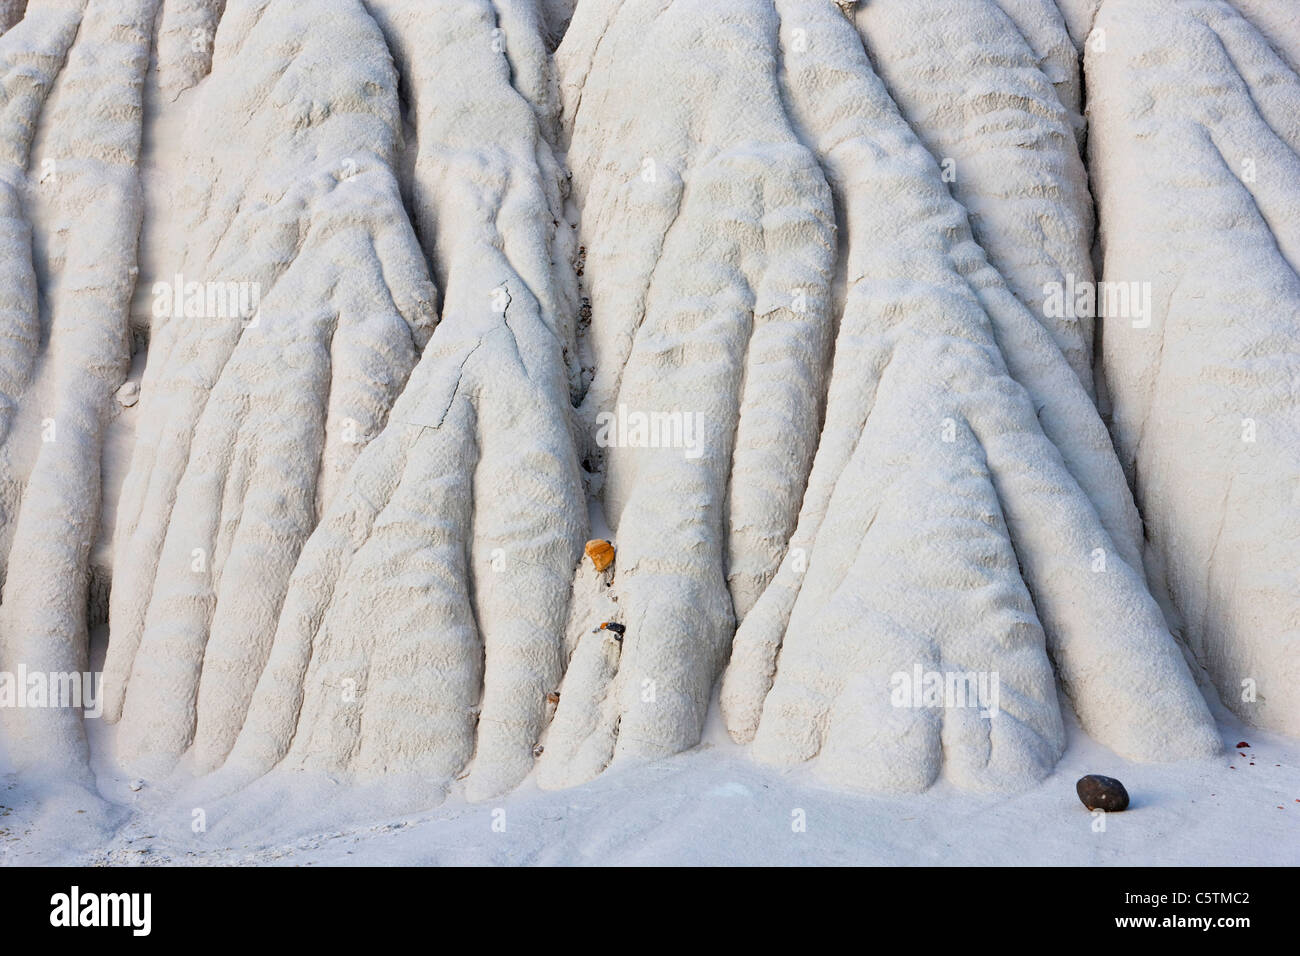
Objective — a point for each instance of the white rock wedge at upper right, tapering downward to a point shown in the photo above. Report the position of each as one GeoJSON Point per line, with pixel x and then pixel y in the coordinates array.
{"type": "Point", "coordinates": [993, 90]}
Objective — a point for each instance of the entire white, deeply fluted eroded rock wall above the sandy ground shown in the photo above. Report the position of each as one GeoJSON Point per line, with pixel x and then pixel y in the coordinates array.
{"type": "Point", "coordinates": [899, 349]}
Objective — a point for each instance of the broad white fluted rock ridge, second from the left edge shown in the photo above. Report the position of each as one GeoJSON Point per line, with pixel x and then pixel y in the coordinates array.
{"type": "Point", "coordinates": [253, 416]}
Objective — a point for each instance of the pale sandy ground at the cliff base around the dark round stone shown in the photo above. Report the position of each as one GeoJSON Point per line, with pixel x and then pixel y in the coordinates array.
{"type": "Point", "coordinates": [710, 806]}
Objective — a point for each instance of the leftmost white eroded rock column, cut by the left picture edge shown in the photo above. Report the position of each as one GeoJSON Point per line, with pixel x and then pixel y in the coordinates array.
{"type": "Point", "coordinates": [71, 272]}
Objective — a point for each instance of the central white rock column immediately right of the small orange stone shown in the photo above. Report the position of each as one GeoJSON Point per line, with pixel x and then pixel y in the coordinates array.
{"type": "Point", "coordinates": [710, 244]}
